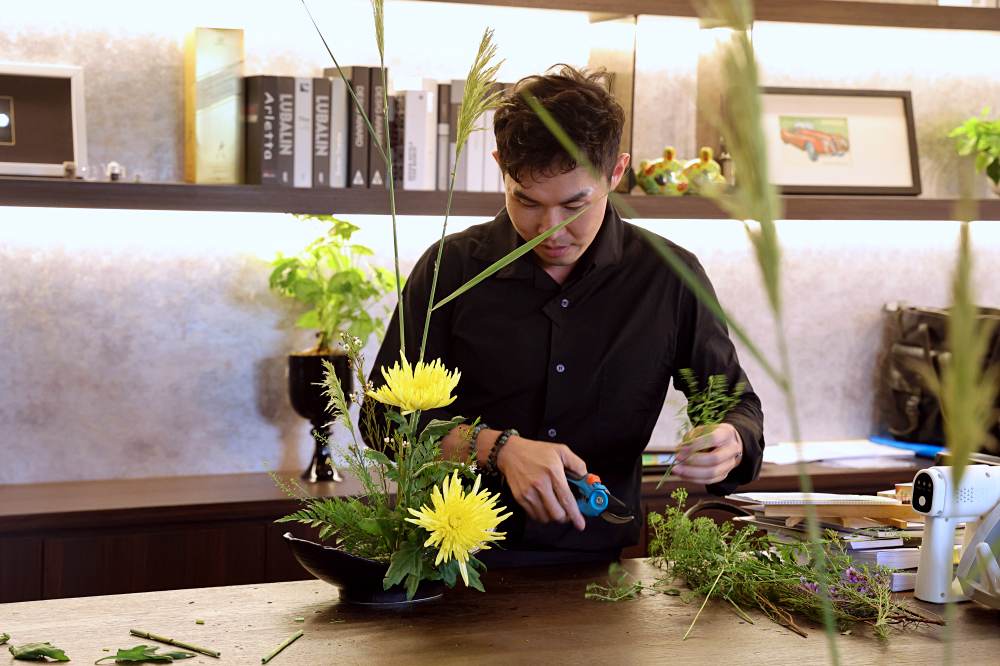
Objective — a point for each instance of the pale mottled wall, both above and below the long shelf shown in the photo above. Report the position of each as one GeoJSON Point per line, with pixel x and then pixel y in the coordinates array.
{"type": "Point", "coordinates": [141, 343]}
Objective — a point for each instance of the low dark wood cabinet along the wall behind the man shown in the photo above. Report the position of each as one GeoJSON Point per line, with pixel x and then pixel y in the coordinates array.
{"type": "Point", "coordinates": [137, 535]}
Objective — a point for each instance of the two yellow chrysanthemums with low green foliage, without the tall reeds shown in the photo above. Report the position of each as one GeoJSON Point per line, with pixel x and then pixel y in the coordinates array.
{"type": "Point", "coordinates": [414, 514]}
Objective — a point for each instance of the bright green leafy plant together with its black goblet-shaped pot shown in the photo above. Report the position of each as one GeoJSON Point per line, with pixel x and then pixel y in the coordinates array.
{"type": "Point", "coordinates": [340, 288]}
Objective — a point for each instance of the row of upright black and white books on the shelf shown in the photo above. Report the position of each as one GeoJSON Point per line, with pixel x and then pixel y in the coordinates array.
{"type": "Point", "coordinates": [307, 132]}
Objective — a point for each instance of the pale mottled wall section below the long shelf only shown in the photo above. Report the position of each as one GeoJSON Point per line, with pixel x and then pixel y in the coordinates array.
{"type": "Point", "coordinates": [147, 343]}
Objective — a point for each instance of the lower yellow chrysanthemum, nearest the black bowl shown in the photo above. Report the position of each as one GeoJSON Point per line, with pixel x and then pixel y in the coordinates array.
{"type": "Point", "coordinates": [460, 522]}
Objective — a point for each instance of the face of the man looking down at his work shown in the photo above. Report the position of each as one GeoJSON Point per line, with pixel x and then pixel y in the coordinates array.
{"type": "Point", "coordinates": [539, 203]}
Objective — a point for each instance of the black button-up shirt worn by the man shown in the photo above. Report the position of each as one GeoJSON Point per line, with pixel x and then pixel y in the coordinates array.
{"type": "Point", "coordinates": [586, 363]}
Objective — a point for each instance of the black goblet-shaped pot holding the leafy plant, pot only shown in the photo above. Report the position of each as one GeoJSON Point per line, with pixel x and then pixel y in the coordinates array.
{"type": "Point", "coordinates": [305, 389]}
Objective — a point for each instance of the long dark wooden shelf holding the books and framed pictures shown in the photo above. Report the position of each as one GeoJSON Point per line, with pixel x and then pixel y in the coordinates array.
{"type": "Point", "coordinates": [256, 198]}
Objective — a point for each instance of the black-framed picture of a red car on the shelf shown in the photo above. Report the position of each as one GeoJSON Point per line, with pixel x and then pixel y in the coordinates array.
{"type": "Point", "coordinates": [823, 141]}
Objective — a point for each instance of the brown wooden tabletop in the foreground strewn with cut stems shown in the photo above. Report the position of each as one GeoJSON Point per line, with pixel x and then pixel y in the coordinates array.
{"type": "Point", "coordinates": [526, 616]}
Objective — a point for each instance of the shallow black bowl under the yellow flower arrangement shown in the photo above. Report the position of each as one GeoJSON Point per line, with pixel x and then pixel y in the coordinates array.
{"type": "Point", "coordinates": [359, 579]}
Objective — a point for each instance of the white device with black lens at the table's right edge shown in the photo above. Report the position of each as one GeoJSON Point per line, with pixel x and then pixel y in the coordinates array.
{"type": "Point", "coordinates": [975, 502]}
